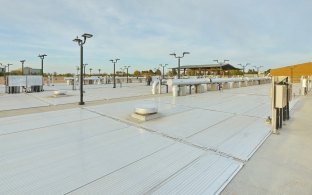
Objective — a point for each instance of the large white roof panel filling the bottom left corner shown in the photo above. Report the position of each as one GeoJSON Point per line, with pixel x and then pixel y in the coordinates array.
{"type": "Point", "coordinates": [58, 160]}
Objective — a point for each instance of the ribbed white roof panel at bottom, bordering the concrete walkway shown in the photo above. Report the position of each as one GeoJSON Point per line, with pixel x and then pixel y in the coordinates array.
{"type": "Point", "coordinates": [208, 175]}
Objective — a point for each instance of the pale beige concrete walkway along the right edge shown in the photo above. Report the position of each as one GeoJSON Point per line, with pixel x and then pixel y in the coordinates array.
{"type": "Point", "coordinates": [283, 164]}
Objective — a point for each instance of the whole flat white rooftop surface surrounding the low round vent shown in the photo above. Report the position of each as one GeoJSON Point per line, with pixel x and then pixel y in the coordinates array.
{"type": "Point", "coordinates": [197, 145]}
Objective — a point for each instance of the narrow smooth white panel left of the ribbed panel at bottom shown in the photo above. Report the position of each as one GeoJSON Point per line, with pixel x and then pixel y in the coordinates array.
{"type": "Point", "coordinates": [143, 175]}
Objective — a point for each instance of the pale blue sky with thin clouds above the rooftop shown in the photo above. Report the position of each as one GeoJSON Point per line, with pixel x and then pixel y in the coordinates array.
{"type": "Point", "coordinates": [142, 33]}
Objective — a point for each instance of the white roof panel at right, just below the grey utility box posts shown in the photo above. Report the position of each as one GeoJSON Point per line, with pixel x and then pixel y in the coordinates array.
{"type": "Point", "coordinates": [238, 136]}
